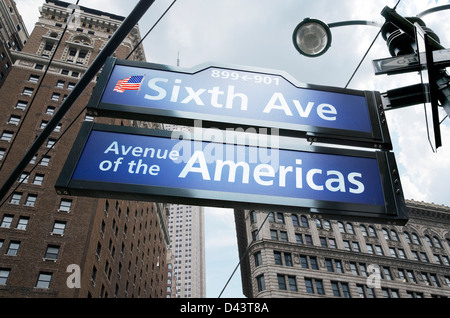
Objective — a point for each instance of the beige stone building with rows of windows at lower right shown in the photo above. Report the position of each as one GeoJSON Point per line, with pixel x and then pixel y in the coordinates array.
{"type": "Point", "coordinates": [297, 256]}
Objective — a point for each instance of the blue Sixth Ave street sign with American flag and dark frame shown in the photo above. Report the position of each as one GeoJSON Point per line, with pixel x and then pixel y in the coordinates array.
{"type": "Point", "coordinates": [226, 97]}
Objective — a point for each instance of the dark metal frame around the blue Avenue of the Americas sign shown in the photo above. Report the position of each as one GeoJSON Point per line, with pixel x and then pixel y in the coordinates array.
{"type": "Point", "coordinates": [392, 210]}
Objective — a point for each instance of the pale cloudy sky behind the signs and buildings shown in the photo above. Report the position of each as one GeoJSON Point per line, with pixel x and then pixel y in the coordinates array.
{"type": "Point", "coordinates": [258, 33]}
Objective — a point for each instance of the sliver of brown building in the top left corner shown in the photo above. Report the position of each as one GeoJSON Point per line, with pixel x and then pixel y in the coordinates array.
{"type": "Point", "coordinates": [13, 35]}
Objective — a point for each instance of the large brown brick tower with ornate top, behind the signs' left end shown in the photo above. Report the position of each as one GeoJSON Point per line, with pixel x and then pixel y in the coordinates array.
{"type": "Point", "coordinates": [60, 246]}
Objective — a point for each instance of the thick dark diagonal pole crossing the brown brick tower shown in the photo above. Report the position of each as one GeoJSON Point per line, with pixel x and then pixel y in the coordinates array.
{"type": "Point", "coordinates": [121, 33]}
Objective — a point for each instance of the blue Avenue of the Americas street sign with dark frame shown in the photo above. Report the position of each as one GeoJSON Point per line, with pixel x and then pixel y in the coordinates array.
{"type": "Point", "coordinates": [148, 165]}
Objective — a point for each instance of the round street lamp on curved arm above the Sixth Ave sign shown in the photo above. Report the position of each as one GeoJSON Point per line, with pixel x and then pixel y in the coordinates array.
{"type": "Point", "coordinates": [313, 38]}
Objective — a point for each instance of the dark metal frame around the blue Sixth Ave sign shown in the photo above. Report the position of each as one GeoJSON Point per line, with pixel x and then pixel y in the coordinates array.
{"type": "Point", "coordinates": [378, 137]}
